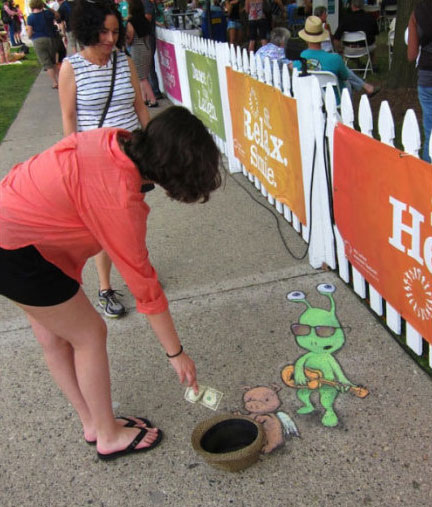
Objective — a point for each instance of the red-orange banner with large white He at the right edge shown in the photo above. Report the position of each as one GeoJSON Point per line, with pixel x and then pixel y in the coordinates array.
{"type": "Point", "coordinates": [382, 200]}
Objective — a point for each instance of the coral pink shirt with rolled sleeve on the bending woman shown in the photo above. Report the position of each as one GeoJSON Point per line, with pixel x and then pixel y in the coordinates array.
{"type": "Point", "coordinates": [77, 198]}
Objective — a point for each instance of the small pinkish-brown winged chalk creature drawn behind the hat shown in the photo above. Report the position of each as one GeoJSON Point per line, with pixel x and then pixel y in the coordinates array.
{"type": "Point", "coordinates": [262, 404]}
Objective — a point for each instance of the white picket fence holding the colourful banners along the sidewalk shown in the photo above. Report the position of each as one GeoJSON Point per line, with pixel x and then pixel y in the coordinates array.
{"type": "Point", "coordinates": [326, 245]}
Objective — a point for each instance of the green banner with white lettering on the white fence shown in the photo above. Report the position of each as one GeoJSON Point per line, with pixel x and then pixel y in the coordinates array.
{"type": "Point", "coordinates": [205, 93]}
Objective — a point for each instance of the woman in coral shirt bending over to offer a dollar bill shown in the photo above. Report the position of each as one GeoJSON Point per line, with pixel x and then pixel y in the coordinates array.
{"type": "Point", "coordinates": [53, 217]}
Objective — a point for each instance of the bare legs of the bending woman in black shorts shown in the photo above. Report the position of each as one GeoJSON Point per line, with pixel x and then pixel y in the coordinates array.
{"type": "Point", "coordinates": [77, 323]}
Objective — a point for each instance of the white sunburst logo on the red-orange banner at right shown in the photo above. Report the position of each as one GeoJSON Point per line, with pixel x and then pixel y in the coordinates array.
{"type": "Point", "coordinates": [418, 292]}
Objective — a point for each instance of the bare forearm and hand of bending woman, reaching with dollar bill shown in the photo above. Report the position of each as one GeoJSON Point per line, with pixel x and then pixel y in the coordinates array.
{"type": "Point", "coordinates": [163, 326]}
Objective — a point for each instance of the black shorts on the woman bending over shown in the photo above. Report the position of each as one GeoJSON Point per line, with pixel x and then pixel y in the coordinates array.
{"type": "Point", "coordinates": [27, 278]}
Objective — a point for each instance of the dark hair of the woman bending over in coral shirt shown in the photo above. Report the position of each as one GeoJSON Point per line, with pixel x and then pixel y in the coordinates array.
{"type": "Point", "coordinates": [177, 152]}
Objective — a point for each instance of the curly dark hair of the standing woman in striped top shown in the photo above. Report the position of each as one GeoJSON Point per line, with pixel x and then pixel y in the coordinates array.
{"type": "Point", "coordinates": [88, 18]}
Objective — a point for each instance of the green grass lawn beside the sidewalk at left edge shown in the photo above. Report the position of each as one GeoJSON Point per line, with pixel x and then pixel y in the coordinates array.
{"type": "Point", "coordinates": [15, 83]}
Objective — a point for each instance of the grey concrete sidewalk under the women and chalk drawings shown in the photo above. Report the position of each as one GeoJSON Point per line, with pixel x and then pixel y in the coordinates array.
{"type": "Point", "coordinates": [226, 275]}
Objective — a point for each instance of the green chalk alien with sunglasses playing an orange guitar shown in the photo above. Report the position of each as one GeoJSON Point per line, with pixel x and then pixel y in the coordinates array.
{"type": "Point", "coordinates": [320, 333]}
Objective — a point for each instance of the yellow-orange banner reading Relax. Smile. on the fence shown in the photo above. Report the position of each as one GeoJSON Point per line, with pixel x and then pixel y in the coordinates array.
{"type": "Point", "coordinates": [266, 138]}
